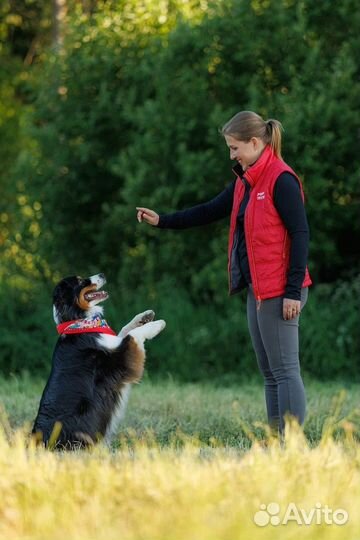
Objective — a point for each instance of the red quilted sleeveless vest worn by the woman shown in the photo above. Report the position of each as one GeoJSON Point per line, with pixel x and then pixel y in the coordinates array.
{"type": "Point", "coordinates": [267, 240]}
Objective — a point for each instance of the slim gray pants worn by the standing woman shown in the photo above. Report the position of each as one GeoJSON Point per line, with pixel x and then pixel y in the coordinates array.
{"type": "Point", "coordinates": [276, 345]}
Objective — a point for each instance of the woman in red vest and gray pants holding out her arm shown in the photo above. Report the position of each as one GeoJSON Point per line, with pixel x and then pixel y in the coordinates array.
{"type": "Point", "coordinates": [267, 253]}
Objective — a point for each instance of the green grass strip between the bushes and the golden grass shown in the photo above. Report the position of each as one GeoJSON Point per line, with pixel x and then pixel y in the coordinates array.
{"type": "Point", "coordinates": [226, 415]}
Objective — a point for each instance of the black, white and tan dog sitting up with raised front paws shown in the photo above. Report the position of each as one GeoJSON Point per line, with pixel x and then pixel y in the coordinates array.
{"type": "Point", "coordinates": [92, 367]}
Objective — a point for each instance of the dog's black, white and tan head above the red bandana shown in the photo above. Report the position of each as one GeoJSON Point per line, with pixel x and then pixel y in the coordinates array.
{"type": "Point", "coordinates": [77, 298]}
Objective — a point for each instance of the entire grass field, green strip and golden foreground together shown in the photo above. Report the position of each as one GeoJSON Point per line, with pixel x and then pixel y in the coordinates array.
{"type": "Point", "coordinates": [190, 463]}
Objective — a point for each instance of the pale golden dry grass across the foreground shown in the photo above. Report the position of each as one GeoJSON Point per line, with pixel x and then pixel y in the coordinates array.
{"type": "Point", "coordinates": [185, 491]}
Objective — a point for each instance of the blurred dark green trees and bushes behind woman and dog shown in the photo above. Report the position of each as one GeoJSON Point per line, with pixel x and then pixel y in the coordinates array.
{"type": "Point", "coordinates": [109, 105]}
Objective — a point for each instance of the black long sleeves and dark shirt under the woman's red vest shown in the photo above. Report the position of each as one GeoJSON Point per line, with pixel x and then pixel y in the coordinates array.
{"type": "Point", "coordinates": [289, 204]}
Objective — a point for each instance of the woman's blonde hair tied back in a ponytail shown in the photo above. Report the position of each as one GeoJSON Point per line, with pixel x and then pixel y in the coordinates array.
{"type": "Point", "coordinates": [247, 124]}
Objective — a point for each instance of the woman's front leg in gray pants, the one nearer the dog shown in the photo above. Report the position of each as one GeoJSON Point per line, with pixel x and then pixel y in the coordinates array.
{"type": "Point", "coordinates": [271, 387]}
